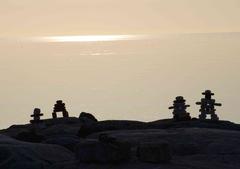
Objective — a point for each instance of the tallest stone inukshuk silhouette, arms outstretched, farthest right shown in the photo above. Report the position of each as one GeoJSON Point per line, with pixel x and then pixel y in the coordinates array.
{"type": "Point", "coordinates": [208, 106]}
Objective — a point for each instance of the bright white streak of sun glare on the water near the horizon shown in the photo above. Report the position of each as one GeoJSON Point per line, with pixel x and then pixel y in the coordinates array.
{"type": "Point", "coordinates": [87, 38]}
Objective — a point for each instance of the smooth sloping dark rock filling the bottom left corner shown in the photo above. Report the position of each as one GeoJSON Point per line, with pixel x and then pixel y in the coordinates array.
{"type": "Point", "coordinates": [15, 154]}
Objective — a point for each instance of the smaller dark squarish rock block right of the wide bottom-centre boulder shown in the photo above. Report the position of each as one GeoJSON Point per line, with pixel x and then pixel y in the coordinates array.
{"type": "Point", "coordinates": [154, 152]}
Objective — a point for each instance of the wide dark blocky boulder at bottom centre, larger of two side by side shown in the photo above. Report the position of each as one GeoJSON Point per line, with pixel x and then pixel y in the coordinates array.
{"type": "Point", "coordinates": [91, 151]}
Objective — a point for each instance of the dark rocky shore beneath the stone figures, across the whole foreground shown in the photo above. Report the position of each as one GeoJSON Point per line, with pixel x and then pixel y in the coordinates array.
{"type": "Point", "coordinates": [85, 143]}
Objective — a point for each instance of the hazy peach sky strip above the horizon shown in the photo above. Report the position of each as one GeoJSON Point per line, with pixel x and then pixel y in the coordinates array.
{"type": "Point", "coordinates": [52, 17]}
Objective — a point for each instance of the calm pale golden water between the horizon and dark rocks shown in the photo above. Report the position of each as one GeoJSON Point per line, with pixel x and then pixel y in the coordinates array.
{"type": "Point", "coordinates": [126, 79]}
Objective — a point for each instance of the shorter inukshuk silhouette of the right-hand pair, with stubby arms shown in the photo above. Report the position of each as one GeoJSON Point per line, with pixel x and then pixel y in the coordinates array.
{"type": "Point", "coordinates": [179, 109]}
